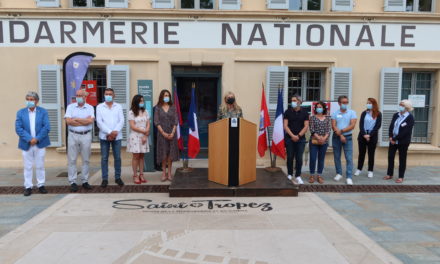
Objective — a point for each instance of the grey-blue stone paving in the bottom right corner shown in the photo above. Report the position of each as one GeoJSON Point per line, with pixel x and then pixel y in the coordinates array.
{"type": "Point", "coordinates": [406, 224]}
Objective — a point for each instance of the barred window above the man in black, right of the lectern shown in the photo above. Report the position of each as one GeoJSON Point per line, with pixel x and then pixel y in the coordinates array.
{"type": "Point", "coordinates": [307, 84]}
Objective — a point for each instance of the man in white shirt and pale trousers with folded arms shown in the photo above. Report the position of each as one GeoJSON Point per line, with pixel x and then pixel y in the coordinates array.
{"type": "Point", "coordinates": [79, 117]}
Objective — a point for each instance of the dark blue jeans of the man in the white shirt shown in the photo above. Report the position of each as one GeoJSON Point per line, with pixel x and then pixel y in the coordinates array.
{"type": "Point", "coordinates": [105, 151]}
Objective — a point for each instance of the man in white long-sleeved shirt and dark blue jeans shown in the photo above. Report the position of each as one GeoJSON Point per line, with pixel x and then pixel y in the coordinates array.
{"type": "Point", "coordinates": [110, 119]}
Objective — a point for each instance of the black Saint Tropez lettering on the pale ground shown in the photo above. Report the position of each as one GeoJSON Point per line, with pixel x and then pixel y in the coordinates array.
{"type": "Point", "coordinates": [202, 205]}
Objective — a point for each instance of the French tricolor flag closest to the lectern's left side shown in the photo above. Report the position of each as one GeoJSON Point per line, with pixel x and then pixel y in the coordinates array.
{"type": "Point", "coordinates": [193, 137]}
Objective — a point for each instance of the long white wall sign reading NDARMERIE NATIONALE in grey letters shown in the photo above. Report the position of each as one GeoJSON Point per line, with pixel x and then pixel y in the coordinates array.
{"type": "Point", "coordinates": [218, 34]}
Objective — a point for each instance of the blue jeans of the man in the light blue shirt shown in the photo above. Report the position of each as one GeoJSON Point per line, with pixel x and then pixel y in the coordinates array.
{"type": "Point", "coordinates": [348, 153]}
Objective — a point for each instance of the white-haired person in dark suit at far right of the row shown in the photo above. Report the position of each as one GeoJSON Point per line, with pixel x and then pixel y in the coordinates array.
{"type": "Point", "coordinates": [400, 132]}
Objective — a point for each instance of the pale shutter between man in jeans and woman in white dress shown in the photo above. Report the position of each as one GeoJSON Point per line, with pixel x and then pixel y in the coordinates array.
{"type": "Point", "coordinates": [118, 78]}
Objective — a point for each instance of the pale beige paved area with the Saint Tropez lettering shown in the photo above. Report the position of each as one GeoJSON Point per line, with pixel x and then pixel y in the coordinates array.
{"type": "Point", "coordinates": [89, 228]}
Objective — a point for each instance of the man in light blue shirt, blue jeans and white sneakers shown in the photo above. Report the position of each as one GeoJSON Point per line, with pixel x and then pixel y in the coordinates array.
{"type": "Point", "coordinates": [343, 123]}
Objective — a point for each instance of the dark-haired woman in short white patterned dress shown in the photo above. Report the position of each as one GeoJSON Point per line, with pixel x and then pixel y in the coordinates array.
{"type": "Point", "coordinates": [137, 144]}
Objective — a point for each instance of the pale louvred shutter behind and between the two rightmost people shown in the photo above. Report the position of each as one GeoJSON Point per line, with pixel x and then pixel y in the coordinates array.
{"type": "Point", "coordinates": [390, 93]}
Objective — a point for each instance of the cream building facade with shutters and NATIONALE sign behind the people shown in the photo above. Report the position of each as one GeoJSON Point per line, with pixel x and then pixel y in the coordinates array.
{"type": "Point", "coordinates": [320, 49]}
